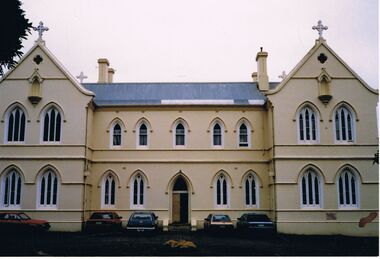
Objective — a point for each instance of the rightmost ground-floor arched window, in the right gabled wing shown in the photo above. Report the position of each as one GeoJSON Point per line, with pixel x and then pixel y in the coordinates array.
{"type": "Point", "coordinates": [348, 189]}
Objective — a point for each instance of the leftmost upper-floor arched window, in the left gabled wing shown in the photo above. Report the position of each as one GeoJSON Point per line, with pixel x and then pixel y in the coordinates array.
{"type": "Point", "coordinates": [15, 131]}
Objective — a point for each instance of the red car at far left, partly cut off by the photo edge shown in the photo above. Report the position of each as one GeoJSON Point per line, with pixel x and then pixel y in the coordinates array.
{"type": "Point", "coordinates": [19, 222]}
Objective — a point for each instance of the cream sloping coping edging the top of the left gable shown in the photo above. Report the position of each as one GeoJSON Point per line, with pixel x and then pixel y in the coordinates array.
{"type": "Point", "coordinates": [41, 44]}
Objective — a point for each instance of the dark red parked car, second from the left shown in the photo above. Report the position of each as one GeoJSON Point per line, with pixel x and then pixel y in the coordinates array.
{"type": "Point", "coordinates": [104, 221]}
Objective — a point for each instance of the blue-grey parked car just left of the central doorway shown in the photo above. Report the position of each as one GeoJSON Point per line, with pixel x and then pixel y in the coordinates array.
{"type": "Point", "coordinates": [142, 222]}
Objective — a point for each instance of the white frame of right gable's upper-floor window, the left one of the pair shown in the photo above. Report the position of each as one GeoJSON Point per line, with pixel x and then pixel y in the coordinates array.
{"type": "Point", "coordinates": [316, 118]}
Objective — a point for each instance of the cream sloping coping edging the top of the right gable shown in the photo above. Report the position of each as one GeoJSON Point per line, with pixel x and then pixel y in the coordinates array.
{"type": "Point", "coordinates": [317, 45]}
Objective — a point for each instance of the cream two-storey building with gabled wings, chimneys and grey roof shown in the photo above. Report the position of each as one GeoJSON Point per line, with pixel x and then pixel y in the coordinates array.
{"type": "Point", "coordinates": [300, 150]}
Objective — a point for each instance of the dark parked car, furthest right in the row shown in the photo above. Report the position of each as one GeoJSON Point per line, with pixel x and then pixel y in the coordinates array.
{"type": "Point", "coordinates": [253, 222]}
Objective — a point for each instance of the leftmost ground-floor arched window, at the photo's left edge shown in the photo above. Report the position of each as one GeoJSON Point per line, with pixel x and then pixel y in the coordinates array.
{"type": "Point", "coordinates": [11, 189]}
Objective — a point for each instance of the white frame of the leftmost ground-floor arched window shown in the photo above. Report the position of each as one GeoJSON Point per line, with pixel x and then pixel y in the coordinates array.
{"type": "Point", "coordinates": [16, 189]}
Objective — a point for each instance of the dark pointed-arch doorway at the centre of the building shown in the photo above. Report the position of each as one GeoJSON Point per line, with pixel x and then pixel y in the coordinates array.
{"type": "Point", "coordinates": [180, 202]}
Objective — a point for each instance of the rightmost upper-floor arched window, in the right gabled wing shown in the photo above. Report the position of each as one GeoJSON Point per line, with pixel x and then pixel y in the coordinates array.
{"type": "Point", "coordinates": [344, 125]}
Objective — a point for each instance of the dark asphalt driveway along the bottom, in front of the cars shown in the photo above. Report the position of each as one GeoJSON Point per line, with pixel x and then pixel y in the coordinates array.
{"type": "Point", "coordinates": [201, 244]}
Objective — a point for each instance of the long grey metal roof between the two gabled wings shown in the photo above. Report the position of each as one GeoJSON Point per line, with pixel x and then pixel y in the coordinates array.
{"type": "Point", "coordinates": [175, 93]}
